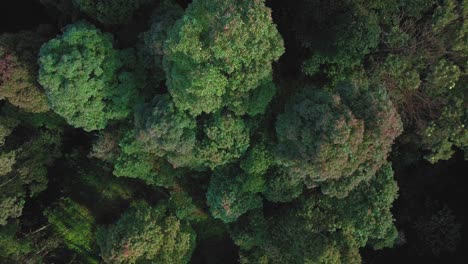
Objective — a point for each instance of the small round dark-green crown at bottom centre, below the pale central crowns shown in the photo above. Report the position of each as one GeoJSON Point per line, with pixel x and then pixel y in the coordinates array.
{"type": "Point", "coordinates": [232, 193]}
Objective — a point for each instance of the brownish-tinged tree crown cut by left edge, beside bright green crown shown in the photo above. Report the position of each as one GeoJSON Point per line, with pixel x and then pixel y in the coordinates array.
{"type": "Point", "coordinates": [18, 71]}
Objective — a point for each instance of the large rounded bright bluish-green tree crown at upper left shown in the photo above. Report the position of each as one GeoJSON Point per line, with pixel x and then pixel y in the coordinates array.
{"type": "Point", "coordinates": [85, 79]}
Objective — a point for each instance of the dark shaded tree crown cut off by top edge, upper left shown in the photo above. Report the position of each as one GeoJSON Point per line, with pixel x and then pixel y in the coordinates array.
{"type": "Point", "coordinates": [110, 12]}
